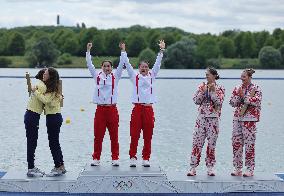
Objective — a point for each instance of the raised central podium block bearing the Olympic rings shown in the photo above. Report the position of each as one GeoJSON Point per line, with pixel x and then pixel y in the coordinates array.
{"type": "Point", "coordinates": [122, 179]}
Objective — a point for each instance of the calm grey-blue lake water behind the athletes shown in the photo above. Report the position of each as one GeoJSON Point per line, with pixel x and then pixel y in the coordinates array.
{"type": "Point", "coordinates": [175, 117]}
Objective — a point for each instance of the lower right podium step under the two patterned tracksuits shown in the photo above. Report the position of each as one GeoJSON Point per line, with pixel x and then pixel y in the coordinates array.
{"type": "Point", "coordinates": [223, 183]}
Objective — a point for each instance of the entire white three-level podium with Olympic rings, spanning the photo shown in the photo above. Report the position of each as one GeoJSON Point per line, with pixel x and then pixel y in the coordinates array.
{"type": "Point", "coordinates": [123, 179]}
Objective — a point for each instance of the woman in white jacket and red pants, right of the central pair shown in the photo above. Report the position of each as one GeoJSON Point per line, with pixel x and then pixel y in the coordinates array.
{"type": "Point", "coordinates": [143, 96]}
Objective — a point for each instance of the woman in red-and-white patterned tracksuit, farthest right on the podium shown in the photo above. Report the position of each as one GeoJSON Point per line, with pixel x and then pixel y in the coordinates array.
{"type": "Point", "coordinates": [244, 126]}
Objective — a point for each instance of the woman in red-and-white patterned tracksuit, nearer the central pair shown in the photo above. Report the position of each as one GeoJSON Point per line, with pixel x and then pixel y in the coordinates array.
{"type": "Point", "coordinates": [209, 97]}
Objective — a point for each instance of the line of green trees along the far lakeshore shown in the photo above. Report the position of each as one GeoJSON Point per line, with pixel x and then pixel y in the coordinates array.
{"type": "Point", "coordinates": [46, 45]}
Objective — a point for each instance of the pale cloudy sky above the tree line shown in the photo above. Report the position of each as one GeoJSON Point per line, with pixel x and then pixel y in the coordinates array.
{"type": "Point", "coordinates": [196, 16]}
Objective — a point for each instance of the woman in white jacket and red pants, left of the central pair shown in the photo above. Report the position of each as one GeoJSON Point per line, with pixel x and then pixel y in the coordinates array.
{"type": "Point", "coordinates": [105, 96]}
